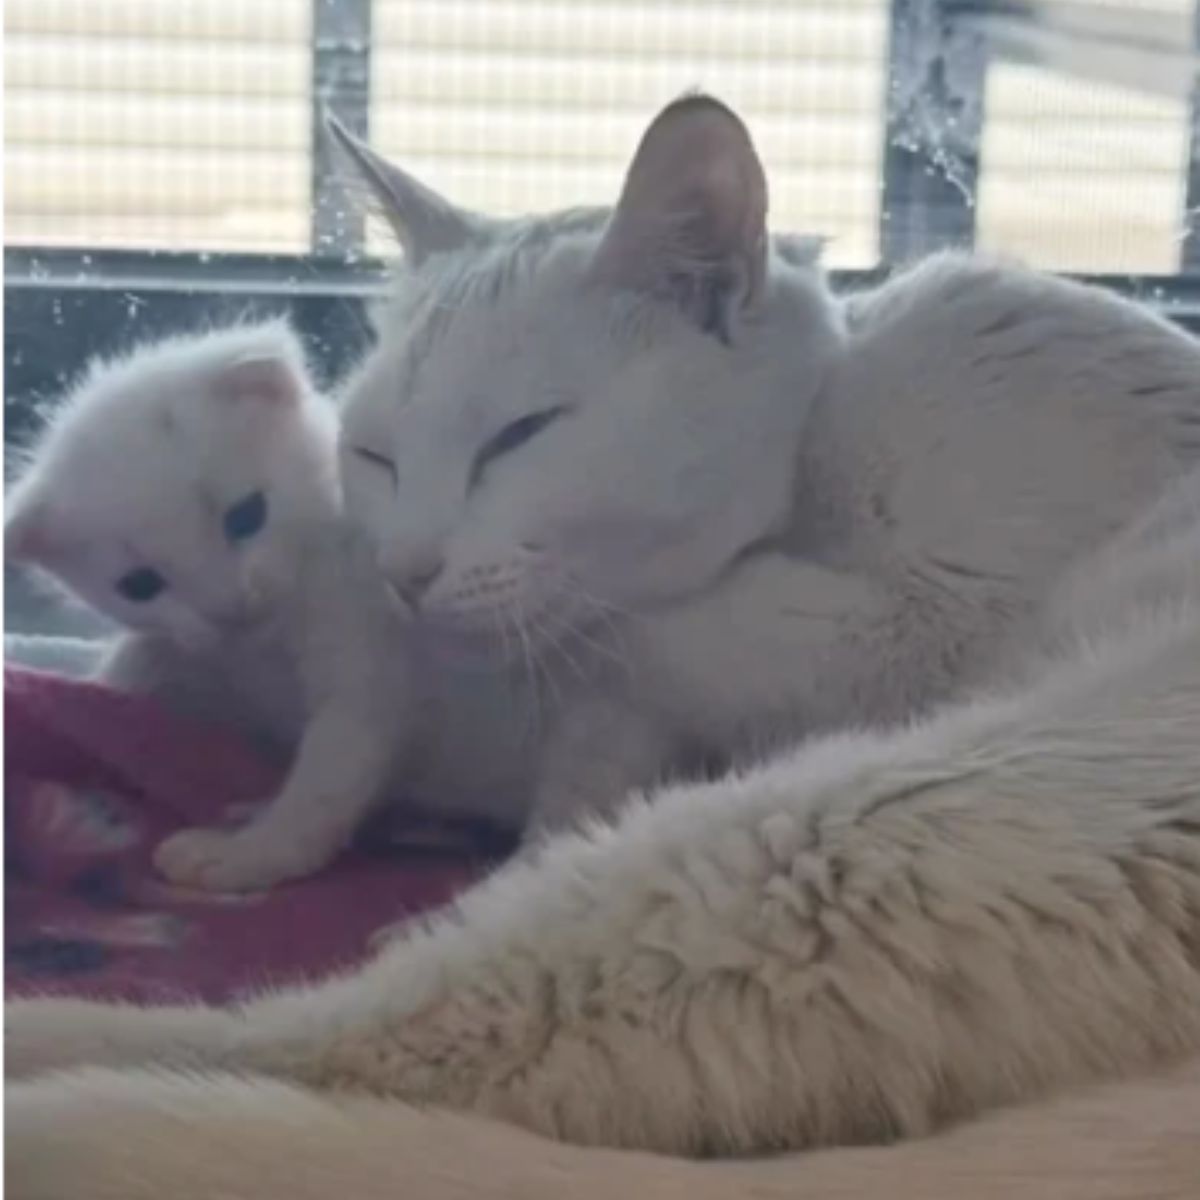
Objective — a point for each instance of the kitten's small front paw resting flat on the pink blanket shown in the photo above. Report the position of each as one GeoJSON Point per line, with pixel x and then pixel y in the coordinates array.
{"type": "Point", "coordinates": [230, 861]}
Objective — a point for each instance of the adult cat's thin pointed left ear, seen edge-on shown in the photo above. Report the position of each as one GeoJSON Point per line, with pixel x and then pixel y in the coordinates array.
{"type": "Point", "coordinates": [425, 224]}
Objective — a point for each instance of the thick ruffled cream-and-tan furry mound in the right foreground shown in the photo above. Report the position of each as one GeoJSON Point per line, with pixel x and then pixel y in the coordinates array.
{"type": "Point", "coordinates": [865, 940]}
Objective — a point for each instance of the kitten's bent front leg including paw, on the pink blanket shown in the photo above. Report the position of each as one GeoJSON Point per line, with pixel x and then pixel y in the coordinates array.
{"type": "Point", "coordinates": [340, 771]}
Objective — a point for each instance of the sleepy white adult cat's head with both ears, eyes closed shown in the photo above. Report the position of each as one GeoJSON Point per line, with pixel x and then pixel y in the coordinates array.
{"type": "Point", "coordinates": [593, 410]}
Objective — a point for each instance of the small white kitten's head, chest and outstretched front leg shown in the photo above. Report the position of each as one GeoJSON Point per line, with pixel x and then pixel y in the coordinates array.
{"type": "Point", "coordinates": [190, 493]}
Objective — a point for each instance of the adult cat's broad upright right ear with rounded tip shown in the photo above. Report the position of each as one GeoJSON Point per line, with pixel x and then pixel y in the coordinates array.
{"type": "Point", "coordinates": [692, 221]}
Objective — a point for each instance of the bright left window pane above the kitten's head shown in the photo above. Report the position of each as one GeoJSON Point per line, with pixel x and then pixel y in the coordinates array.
{"type": "Point", "coordinates": [152, 124]}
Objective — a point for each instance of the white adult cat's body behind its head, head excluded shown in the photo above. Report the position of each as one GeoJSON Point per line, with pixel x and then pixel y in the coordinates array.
{"type": "Point", "coordinates": [926, 535]}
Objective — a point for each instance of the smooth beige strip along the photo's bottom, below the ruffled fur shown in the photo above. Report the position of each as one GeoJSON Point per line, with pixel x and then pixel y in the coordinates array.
{"type": "Point", "coordinates": [111, 1136]}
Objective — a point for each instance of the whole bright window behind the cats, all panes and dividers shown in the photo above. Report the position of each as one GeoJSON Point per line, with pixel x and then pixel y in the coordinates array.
{"type": "Point", "coordinates": [1046, 130]}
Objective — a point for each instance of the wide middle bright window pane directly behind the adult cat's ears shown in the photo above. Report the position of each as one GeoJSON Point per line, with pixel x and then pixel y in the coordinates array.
{"type": "Point", "coordinates": [518, 106]}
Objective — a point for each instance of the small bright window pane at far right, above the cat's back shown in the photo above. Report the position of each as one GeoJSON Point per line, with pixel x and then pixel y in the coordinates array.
{"type": "Point", "coordinates": [1087, 135]}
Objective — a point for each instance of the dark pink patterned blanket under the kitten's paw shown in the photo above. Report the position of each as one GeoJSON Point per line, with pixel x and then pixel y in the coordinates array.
{"type": "Point", "coordinates": [94, 779]}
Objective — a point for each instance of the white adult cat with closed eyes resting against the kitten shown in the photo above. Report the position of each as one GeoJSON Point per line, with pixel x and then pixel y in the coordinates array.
{"type": "Point", "coordinates": [658, 452]}
